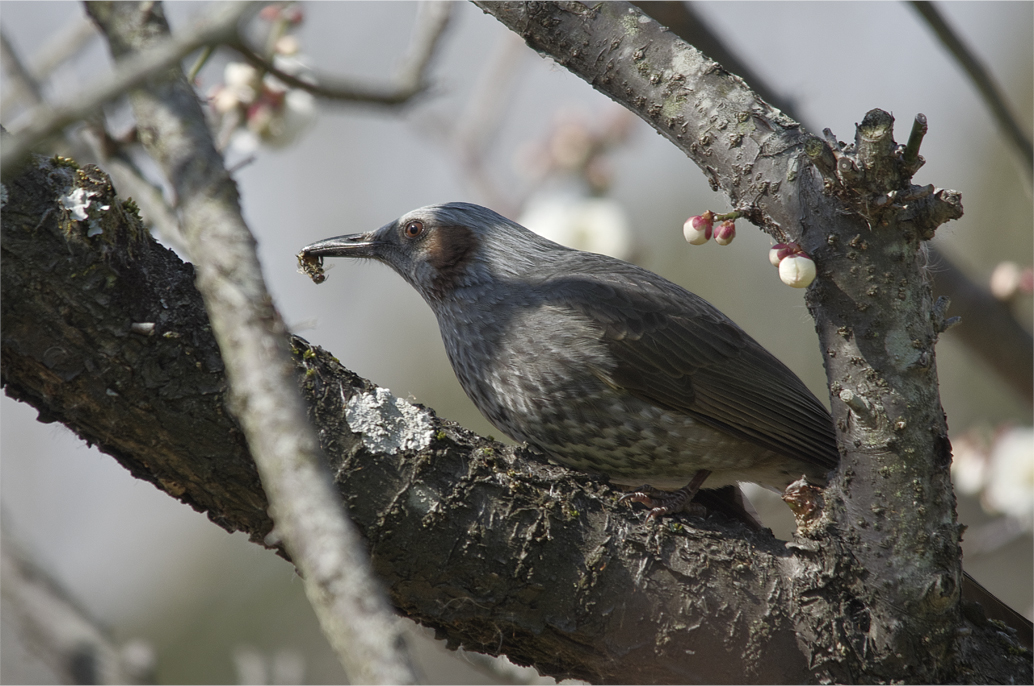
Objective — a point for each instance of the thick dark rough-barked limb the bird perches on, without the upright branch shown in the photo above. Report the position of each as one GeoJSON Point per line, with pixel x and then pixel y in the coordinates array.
{"type": "Point", "coordinates": [497, 551]}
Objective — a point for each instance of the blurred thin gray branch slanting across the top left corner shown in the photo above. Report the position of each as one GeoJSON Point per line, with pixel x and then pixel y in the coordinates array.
{"type": "Point", "coordinates": [220, 25]}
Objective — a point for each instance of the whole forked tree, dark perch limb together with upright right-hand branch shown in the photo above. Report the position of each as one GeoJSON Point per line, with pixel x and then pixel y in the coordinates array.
{"type": "Point", "coordinates": [501, 553]}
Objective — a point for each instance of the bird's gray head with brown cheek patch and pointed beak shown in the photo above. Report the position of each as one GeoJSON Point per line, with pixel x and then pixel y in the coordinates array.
{"type": "Point", "coordinates": [440, 249]}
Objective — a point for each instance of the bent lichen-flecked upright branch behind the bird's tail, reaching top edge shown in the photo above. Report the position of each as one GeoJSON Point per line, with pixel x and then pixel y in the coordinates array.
{"type": "Point", "coordinates": [864, 222]}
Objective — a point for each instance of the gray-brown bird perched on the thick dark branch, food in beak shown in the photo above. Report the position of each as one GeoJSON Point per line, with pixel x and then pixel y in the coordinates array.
{"type": "Point", "coordinates": [601, 366]}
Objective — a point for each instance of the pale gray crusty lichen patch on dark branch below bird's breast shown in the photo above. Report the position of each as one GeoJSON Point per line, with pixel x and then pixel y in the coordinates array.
{"type": "Point", "coordinates": [388, 424]}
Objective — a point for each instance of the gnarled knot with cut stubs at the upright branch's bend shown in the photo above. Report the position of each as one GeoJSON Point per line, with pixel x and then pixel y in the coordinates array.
{"type": "Point", "coordinates": [874, 176]}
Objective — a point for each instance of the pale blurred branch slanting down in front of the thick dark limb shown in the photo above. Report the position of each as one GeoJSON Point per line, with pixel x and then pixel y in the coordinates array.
{"type": "Point", "coordinates": [323, 543]}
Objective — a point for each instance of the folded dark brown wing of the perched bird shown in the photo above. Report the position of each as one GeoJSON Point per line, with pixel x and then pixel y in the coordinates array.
{"type": "Point", "coordinates": [676, 350]}
